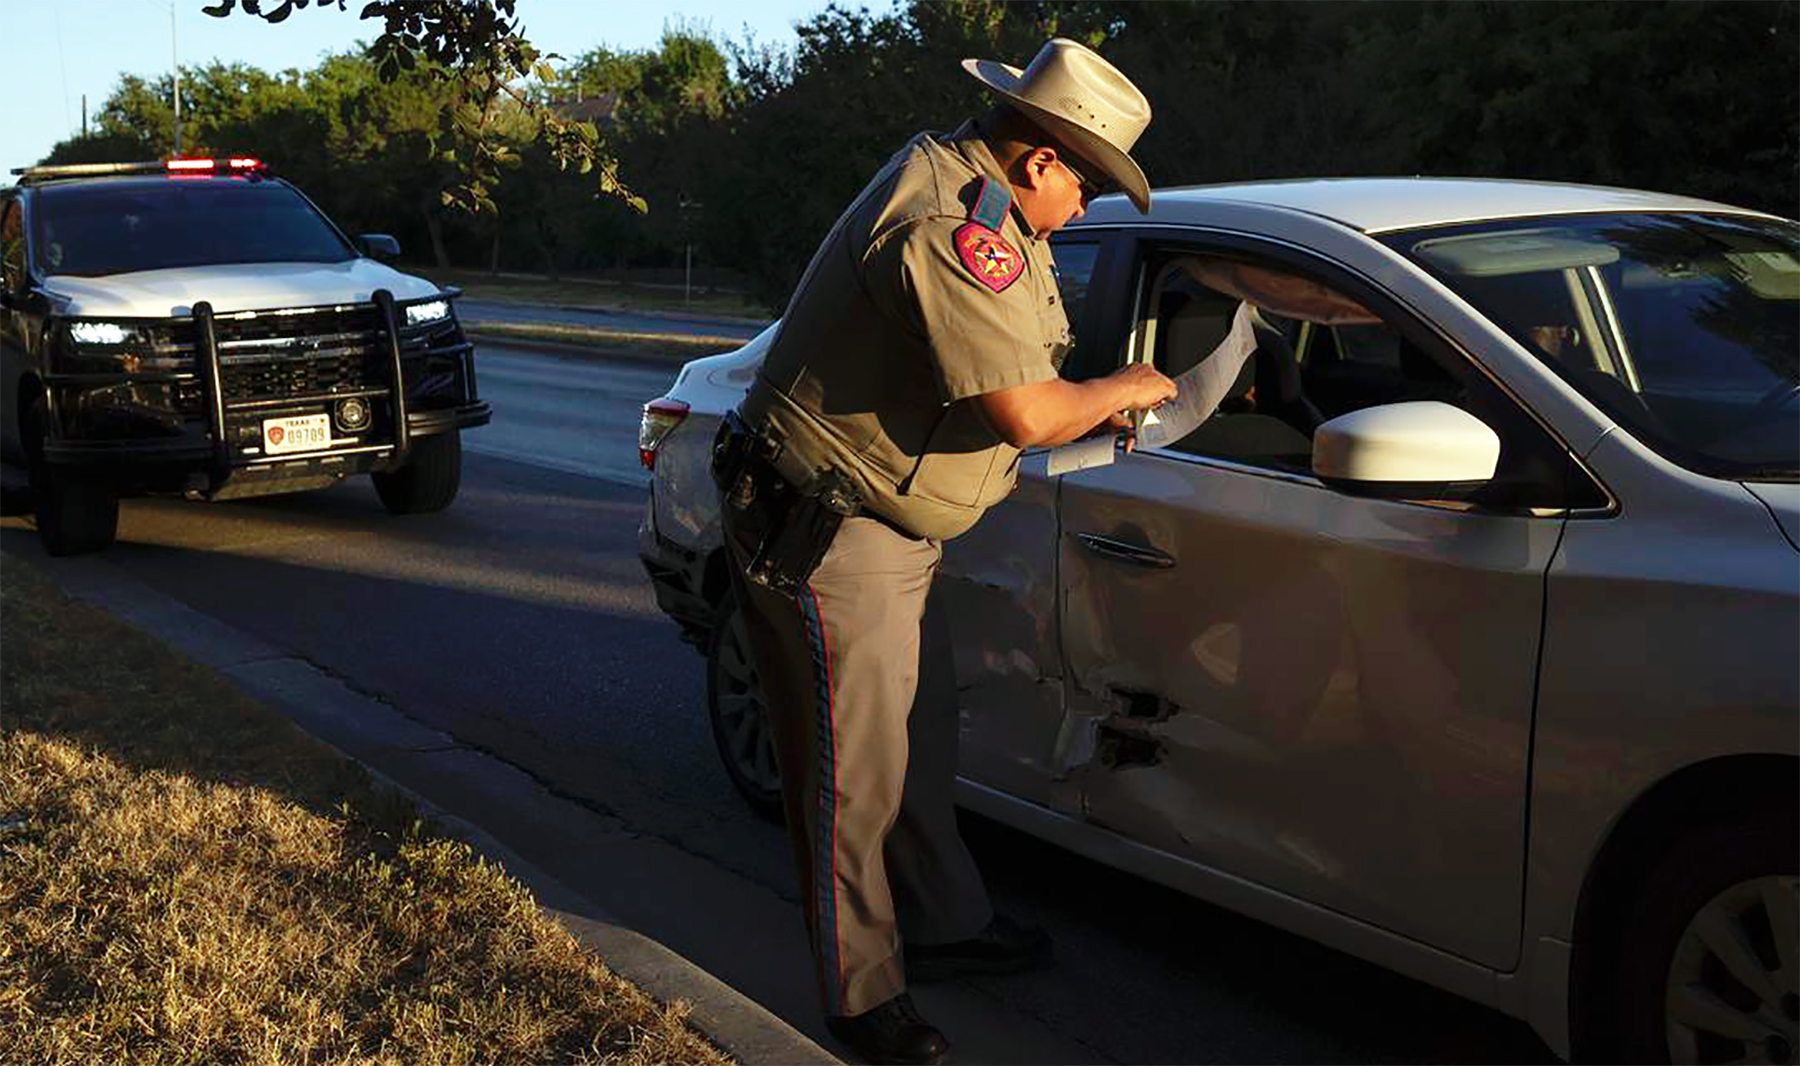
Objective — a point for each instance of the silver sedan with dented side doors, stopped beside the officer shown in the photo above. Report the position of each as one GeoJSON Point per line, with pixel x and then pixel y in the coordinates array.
{"type": "Point", "coordinates": [1462, 637]}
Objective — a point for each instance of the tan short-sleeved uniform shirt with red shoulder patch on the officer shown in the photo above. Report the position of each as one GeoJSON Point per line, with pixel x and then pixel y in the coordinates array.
{"type": "Point", "coordinates": [906, 314]}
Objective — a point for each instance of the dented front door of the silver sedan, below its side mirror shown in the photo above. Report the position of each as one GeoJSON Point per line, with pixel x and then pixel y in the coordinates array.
{"type": "Point", "coordinates": [1324, 694]}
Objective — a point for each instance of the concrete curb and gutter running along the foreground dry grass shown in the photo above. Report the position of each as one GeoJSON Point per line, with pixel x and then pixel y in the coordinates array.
{"type": "Point", "coordinates": [366, 728]}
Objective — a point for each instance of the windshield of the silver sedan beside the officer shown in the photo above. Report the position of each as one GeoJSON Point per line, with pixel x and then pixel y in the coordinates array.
{"type": "Point", "coordinates": [1684, 329]}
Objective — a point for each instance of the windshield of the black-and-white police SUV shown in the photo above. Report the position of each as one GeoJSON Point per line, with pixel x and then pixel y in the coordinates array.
{"type": "Point", "coordinates": [120, 228]}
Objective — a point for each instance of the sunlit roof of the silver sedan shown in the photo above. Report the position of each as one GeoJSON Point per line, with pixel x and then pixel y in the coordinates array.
{"type": "Point", "coordinates": [1398, 204]}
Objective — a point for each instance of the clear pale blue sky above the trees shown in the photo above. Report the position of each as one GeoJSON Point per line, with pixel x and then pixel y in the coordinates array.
{"type": "Point", "coordinates": [55, 51]}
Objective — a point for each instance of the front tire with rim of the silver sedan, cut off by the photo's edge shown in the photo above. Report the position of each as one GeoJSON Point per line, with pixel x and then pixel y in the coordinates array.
{"type": "Point", "coordinates": [1711, 952]}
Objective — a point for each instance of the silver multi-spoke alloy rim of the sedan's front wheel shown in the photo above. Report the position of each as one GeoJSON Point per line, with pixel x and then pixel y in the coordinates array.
{"type": "Point", "coordinates": [1734, 984]}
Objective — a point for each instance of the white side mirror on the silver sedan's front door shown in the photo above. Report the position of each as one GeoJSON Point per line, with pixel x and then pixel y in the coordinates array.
{"type": "Point", "coordinates": [1421, 449]}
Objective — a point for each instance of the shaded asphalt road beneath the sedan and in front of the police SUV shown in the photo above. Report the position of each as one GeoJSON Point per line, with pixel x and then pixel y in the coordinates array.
{"type": "Point", "coordinates": [523, 624]}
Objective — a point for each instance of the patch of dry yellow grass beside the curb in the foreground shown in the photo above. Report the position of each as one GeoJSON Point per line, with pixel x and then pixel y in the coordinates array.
{"type": "Point", "coordinates": [188, 880]}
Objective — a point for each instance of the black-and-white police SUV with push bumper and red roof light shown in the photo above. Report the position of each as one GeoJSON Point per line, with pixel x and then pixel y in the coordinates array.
{"type": "Point", "coordinates": [199, 327]}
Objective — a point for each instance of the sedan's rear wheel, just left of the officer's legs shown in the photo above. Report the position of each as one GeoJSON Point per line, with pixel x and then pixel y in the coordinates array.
{"type": "Point", "coordinates": [735, 710]}
